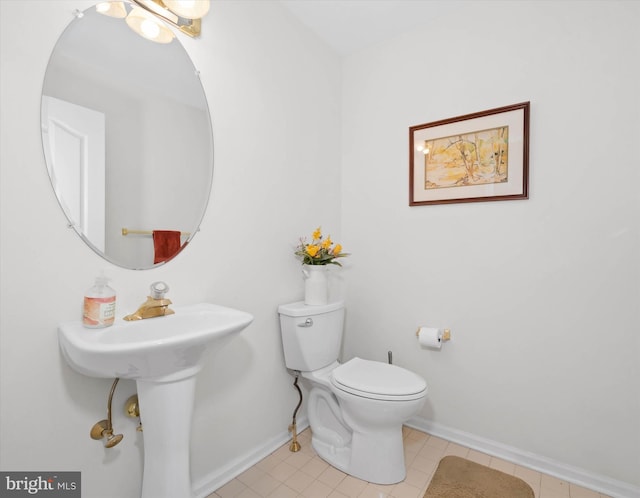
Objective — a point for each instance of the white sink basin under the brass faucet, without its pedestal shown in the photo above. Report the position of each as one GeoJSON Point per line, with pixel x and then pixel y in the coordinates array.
{"type": "Point", "coordinates": [171, 345]}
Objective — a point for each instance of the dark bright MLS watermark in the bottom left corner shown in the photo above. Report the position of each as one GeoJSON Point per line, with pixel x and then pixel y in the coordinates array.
{"type": "Point", "coordinates": [40, 484]}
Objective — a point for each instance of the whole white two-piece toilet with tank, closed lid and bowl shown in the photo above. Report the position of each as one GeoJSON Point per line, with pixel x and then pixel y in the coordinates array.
{"type": "Point", "coordinates": [356, 409]}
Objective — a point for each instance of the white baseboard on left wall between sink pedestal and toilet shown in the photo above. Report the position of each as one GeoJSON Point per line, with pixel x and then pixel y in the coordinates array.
{"type": "Point", "coordinates": [206, 485]}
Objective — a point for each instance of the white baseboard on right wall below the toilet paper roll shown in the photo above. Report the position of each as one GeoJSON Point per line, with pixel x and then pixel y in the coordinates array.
{"type": "Point", "coordinates": [581, 477]}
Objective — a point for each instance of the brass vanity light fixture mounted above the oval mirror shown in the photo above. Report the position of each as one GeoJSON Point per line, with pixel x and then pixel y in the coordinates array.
{"type": "Point", "coordinates": [183, 14]}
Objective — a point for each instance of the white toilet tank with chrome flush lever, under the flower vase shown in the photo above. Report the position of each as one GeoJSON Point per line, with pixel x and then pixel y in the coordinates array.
{"type": "Point", "coordinates": [311, 335]}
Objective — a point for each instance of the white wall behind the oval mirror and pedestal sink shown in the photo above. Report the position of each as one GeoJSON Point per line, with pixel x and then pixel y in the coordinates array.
{"type": "Point", "coordinates": [276, 124]}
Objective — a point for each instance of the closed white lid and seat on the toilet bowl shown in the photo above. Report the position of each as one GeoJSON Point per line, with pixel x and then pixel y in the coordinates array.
{"type": "Point", "coordinates": [373, 379]}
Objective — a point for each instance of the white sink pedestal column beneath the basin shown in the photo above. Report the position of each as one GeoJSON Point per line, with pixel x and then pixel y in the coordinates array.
{"type": "Point", "coordinates": [166, 409]}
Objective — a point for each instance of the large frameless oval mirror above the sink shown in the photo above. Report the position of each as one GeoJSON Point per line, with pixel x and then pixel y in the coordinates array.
{"type": "Point", "coordinates": [127, 140]}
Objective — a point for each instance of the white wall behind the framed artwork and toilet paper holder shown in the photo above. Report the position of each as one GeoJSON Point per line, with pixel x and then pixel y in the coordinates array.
{"type": "Point", "coordinates": [541, 294]}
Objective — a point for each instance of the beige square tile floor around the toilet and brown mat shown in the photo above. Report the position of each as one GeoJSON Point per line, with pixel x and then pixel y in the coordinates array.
{"type": "Point", "coordinates": [284, 474]}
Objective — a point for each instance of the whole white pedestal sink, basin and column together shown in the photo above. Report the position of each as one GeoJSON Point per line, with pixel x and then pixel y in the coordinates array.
{"type": "Point", "coordinates": [163, 355]}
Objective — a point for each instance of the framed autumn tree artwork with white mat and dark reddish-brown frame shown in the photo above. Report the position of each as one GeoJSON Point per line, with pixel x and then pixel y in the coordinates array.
{"type": "Point", "coordinates": [477, 157]}
